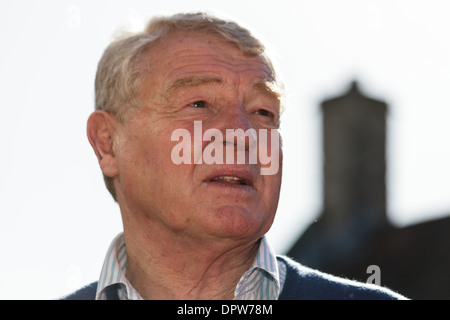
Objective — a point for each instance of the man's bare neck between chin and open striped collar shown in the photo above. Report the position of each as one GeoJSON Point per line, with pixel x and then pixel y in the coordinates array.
{"type": "Point", "coordinates": [163, 266]}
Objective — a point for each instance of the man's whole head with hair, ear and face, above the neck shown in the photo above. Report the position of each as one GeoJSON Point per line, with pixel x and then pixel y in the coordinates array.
{"type": "Point", "coordinates": [184, 69]}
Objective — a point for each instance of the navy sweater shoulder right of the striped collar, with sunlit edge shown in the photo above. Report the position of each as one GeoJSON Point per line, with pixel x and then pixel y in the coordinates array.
{"type": "Point", "coordinates": [306, 283]}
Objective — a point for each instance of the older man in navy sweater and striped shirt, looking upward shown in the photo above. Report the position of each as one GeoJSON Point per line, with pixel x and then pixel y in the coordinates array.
{"type": "Point", "coordinates": [177, 105]}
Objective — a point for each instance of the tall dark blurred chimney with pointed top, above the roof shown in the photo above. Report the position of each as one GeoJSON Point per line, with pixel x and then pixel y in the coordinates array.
{"type": "Point", "coordinates": [354, 172]}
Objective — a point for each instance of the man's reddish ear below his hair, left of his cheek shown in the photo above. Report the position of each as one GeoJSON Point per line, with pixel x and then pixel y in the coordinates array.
{"type": "Point", "coordinates": [101, 127]}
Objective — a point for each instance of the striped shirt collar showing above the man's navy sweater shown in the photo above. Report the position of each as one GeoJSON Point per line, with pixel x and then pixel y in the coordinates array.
{"type": "Point", "coordinates": [264, 280]}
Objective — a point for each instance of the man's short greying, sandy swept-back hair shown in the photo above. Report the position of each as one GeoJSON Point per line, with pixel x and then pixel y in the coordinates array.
{"type": "Point", "coordinates": [121, 70]}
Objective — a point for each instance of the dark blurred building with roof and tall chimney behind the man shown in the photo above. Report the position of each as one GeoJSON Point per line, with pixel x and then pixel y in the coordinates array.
{"type": "Point", "coordinates": [353, 232]}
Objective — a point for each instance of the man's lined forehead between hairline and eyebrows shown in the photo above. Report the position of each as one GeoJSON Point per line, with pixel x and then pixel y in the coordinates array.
{"type": "Point", "coordinates": [183, 55]}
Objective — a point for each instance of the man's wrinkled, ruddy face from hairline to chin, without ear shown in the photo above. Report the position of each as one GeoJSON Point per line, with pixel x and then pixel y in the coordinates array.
{"type": "Point", "coordinates": [198, 78]}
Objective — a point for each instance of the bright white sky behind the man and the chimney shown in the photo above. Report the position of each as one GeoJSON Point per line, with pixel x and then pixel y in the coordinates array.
{"type": "Point", "coordinates": [56, 217]}
